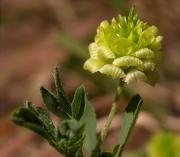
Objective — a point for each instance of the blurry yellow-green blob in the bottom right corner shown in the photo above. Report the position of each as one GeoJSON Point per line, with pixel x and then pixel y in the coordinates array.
{"type": "Point", "coordinates": [162, 144]}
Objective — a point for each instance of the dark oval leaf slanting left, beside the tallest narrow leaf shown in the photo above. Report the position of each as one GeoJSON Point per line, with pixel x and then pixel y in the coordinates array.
{"type": "Point", "coordinates": [52, 103]}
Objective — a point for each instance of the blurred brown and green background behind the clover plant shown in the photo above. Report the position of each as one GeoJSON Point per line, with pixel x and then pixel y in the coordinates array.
{"type": "Point", "coordinates": [37, 35]}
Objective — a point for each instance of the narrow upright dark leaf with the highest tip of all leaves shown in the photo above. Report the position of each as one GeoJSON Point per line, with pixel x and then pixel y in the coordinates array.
{"type": "Point", "coordinates": [62, 98]}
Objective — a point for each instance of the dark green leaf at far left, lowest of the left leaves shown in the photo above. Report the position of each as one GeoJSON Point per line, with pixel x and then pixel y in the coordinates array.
{"type": "Point", "coordinates": [36, 119]}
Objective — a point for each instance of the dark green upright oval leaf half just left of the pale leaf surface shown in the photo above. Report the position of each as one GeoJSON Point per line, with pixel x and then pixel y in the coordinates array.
{"type": "Point", "coordinates": [78, 103]}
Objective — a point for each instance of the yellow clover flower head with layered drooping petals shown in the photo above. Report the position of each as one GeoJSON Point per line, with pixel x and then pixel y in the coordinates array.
{"type": "Point", "coordinates": [126, 48]}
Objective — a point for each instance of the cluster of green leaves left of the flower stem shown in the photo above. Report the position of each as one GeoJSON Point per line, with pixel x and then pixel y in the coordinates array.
{"type": "Point", "coordinates": [77, 119]}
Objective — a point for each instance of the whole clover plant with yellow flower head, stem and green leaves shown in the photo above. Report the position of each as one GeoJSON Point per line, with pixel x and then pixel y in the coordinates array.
{"type": "Point", "coordinates": [126, 49]}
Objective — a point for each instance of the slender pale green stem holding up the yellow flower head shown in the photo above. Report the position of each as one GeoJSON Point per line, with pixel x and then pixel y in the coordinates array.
{"type": "Point", "coordinates": [113, 111]}
